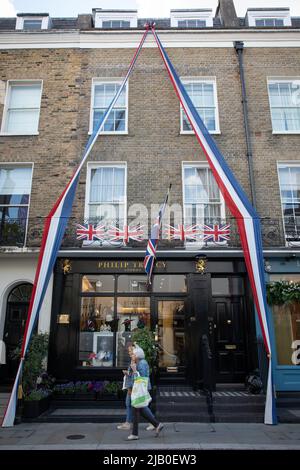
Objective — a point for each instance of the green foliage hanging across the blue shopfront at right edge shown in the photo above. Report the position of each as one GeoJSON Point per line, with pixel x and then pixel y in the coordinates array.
{"type": "Point", "coordinates": [283, 292]}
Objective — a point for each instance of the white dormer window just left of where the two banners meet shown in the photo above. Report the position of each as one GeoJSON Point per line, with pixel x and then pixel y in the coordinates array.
{"type": "Point", "coordinates": [114, 19]}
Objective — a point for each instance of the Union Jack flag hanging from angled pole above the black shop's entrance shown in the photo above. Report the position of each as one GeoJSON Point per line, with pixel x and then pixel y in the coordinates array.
{"type": "Point", "coordinates": [150, 255]}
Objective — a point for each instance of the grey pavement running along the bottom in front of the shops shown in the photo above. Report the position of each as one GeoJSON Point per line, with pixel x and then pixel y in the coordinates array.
{"type": "Point", "coordinates": [194, 436]}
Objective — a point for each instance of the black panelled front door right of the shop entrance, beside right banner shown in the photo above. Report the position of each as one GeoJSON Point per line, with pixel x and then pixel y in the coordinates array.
{"type": "Point", "coordinates": [229, 339]}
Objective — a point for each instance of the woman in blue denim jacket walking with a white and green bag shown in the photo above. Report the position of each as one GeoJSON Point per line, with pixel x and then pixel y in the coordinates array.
{"type": "Point", "coordinates": [140, 366]}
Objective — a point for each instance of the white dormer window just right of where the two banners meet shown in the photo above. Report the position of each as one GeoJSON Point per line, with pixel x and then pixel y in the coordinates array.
{"type": "Point", "coordinates": [192, 18]}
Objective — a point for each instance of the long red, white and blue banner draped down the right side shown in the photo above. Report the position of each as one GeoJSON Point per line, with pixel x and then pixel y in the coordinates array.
{"type": "Point", "coordinates": [247, 219]}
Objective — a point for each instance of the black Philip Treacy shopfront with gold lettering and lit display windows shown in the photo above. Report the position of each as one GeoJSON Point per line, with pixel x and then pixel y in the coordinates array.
{"type": "Point", "coordinates": [97, 303]}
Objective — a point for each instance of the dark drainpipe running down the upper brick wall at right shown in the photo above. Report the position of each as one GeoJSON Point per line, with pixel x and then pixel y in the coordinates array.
{"type": "Point", "coordinates": [239, 47]}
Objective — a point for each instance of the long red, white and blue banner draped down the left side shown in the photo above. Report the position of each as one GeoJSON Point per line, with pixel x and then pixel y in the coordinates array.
{"type": "Point", "coordinates": [54, 230]}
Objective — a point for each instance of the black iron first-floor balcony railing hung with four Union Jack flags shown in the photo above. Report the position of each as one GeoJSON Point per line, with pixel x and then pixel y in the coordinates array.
{"type": "Point", "coordinates": [28, 233]}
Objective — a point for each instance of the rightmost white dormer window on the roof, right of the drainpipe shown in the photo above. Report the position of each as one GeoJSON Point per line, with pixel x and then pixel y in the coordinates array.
{"type": "Point", "coordinates": [272, 18]}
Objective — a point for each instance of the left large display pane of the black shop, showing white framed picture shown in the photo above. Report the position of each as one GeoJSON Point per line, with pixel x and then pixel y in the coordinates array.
{"type": "Point", "coordinates": [97, 330]}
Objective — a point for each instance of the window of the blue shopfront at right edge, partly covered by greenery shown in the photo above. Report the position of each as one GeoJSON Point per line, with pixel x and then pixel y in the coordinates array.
{"type": "Point", "coordinates": [287, 325]}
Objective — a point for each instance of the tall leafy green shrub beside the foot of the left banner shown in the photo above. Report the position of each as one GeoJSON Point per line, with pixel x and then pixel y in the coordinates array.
{"type": "Point", "coordinates": [34, 363]}
